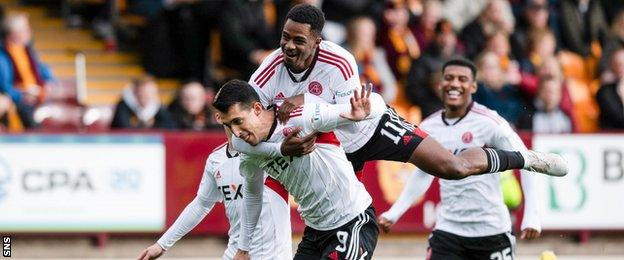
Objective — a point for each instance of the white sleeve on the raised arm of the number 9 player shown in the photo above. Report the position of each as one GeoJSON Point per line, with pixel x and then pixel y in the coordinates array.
{"type": "Point", "coordinates": [323, 117]}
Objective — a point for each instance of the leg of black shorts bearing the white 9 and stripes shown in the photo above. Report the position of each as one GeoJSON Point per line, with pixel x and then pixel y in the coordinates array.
{"type": "Point", "coordinates": [354, 240]}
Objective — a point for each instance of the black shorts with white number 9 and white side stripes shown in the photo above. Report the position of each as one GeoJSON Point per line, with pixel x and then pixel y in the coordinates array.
{"type": "Point", "coordinates": [355, 240]}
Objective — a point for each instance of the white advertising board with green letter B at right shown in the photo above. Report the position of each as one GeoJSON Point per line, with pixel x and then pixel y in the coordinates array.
{"type": "Point", "coordinates": [591, 196]}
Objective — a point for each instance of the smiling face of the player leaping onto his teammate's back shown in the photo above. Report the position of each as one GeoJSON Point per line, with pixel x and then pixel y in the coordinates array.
{"type": "Point", "coordinates": [298, 45]}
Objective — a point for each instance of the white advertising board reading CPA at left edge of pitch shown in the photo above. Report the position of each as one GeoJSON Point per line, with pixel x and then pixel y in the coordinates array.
{"type": "Point", "coordinates": [71, 183]}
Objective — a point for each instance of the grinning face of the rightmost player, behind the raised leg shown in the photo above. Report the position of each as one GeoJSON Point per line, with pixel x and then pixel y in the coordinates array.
{"type": "Point", "coordinates": [457, 86]}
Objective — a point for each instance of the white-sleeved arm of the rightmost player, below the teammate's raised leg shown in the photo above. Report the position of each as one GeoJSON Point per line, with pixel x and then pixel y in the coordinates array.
{"type": "Point", "coordinates": [417, 184]}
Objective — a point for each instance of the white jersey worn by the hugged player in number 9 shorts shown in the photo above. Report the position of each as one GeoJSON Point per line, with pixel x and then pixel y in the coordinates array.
{"type": "Point", "coordinates": [323, 182]}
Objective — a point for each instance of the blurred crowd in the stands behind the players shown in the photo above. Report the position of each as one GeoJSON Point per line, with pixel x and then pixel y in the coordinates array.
{"type": "Point", "coordinates": [547, 66]}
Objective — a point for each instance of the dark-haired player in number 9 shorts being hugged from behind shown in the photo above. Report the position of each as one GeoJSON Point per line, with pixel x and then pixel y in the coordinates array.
{"type": "Point", "coordinates": [335, 206]}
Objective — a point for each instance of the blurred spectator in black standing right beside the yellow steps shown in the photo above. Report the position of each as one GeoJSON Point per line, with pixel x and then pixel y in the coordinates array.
{"type": "Point", "coordinates": [176, 42]}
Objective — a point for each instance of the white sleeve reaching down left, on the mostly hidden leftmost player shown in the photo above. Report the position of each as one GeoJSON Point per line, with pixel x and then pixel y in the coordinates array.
{"type": "Point", "coordinates": [197, 209]}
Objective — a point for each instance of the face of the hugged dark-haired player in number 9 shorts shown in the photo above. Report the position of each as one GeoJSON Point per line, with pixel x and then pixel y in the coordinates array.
{"type": "Point", "coordinates": [243, 122]}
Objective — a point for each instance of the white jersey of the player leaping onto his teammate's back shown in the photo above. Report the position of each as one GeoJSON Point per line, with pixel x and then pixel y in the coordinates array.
{"type": "Point", "coordinates": [333, 77]}
